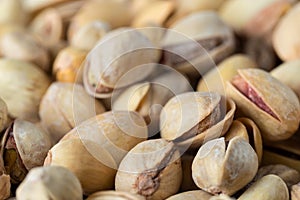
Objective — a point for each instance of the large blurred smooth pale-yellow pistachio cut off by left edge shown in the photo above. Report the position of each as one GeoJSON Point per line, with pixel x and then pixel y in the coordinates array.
{"type": "Point", "coordinates": [22, 86]}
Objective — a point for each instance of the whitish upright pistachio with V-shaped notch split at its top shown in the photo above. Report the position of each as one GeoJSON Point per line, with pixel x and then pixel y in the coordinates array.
{"type": "Point", "coordinates": [220, 168]}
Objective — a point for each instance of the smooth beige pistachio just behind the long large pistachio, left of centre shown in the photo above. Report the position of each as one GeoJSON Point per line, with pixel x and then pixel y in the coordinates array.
{"type": "Point", "coordinates": [65, 106]}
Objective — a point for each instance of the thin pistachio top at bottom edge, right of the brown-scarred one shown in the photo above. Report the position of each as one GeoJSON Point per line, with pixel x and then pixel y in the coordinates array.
{"type": "Point", "coordinates": [192, 195]}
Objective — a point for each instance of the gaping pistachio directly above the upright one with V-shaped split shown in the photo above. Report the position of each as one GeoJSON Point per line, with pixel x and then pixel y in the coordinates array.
{"type": "Point", "coordinates": [191, 118]}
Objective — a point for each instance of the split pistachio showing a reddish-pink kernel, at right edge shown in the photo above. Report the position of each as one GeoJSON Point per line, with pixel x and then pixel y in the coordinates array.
{"type": "Point", "coordinates": [273, 106]}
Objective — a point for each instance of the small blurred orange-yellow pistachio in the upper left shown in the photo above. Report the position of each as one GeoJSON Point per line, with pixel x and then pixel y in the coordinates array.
{"type": "Point", "coordinates": [67, 66]}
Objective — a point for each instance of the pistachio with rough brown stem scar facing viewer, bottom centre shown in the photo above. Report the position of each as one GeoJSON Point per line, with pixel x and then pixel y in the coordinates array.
{"type": "Point", "coordinates": [152, 169]}
